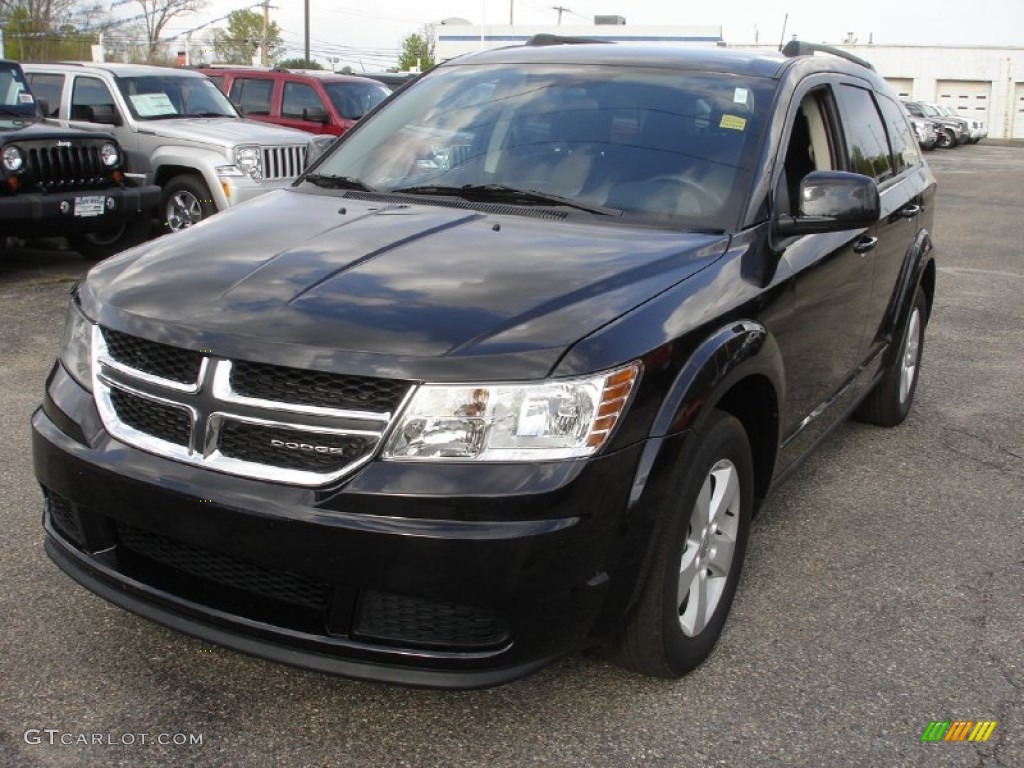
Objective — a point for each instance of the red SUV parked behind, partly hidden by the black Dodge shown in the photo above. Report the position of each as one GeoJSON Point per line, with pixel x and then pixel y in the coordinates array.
{"type": "Point", "coordinates": [310, 101]}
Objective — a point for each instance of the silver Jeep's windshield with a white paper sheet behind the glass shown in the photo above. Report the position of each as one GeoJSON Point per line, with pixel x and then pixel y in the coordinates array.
{"type": "Point", "coordinates": [167, 97]}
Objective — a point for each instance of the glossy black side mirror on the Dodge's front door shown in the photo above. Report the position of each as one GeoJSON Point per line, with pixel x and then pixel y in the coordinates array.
{"type": "Point", "coordinates": [832, 202]}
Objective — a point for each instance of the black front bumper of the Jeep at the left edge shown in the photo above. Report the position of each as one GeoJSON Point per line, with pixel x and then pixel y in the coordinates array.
{"type": "Point", "coordinates": [41, 216]}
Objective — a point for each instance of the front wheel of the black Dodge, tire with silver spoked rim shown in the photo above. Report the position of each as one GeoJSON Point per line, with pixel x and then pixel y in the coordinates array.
{"type": "Point", "coordinates": [699, 556]}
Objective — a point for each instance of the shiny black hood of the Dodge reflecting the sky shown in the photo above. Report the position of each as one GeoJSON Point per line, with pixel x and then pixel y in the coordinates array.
{"type": "Point", "coordinates": [406, 291]}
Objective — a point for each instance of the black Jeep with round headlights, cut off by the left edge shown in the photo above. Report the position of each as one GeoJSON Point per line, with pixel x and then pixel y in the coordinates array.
{"type": "Point", "coordinates": [64, 183]}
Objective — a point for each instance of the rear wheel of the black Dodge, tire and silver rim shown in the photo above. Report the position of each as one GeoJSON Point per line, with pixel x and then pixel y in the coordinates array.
{"type": "Point", "coordinates": [889, 403]}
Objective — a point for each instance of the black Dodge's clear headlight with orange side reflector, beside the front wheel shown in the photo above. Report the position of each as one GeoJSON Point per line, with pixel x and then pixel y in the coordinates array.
{"type": "Point", "coordinates": [513, 422]}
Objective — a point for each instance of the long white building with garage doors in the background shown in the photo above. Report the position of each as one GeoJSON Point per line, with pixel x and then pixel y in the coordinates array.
{"type": "Point", "coordinates": [978, 82]}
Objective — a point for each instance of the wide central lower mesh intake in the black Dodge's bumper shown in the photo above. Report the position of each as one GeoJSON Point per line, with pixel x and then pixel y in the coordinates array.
{"type": "Point", "coordinates": [225, 570]}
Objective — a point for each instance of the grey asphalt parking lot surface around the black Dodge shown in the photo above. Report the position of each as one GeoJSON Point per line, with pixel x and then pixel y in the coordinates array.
{"type": "Point", "coordinates": [883, 589]}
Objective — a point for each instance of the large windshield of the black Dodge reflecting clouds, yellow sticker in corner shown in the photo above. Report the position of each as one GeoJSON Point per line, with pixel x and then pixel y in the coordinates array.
{"type": "Point", "coordinates": [666, 145]}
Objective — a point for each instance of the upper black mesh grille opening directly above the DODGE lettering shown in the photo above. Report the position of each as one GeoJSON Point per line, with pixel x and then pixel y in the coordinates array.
{"type": "Point", "coordinates": [317, 389]}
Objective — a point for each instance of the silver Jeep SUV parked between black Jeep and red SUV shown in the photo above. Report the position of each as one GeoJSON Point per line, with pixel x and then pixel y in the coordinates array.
{"type": "Point", "coordinates": [179, 132]}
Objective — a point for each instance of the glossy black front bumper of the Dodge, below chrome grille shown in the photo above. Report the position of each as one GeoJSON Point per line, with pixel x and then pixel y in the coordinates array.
{"type": "Point", "coordinates": [438, 575]}
